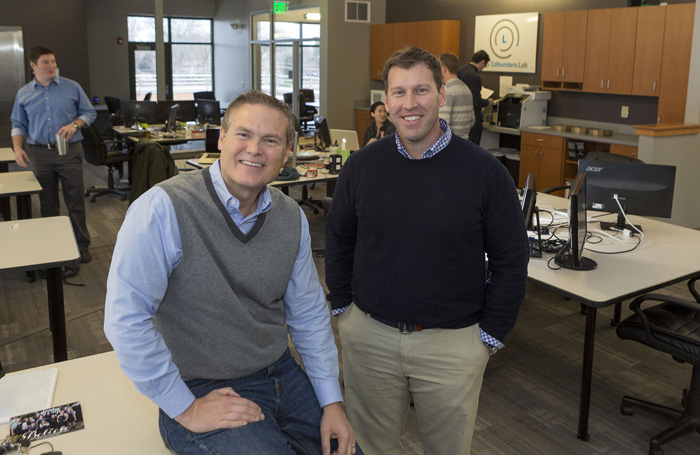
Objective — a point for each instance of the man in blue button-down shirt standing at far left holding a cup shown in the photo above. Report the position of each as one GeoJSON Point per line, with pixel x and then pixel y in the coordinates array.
{"type": "Point", "coordinates": [48, 106]}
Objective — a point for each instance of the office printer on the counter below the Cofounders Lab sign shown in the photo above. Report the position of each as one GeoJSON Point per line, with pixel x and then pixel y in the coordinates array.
{"type": "Point", "coordinates": [523, 106]}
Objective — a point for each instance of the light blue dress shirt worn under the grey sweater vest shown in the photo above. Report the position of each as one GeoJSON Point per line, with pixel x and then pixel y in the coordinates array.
{"type": "Point", "coordinates": [149, 248]}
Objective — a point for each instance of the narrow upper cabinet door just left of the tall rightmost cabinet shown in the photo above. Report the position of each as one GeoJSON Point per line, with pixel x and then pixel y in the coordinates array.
{"type": "Point", "coordinates": [648, 50]}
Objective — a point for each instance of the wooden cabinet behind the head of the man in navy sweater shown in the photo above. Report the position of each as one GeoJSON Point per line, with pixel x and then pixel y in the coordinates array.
{"type": "Point", "coordinates": [434, 36]}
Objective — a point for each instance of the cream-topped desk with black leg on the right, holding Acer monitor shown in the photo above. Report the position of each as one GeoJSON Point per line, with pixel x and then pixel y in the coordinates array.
{"type": "Point", "coordinates": [668, 254]}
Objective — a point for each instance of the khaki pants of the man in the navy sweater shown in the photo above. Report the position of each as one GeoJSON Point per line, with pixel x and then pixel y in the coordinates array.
{"type": "Point", "coordinates": [442, 369]}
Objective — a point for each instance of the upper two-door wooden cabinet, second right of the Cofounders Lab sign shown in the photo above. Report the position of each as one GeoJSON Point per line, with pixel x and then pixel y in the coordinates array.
{"type": "Point", "coordinates": [610, 49]}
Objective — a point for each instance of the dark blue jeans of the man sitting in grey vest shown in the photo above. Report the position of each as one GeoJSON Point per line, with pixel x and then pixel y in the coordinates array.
{"type": "Point", "coordinates": [292, 422]}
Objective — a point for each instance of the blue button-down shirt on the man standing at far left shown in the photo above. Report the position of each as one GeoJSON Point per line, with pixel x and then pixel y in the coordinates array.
{"type": "Point", "coordinates": [39, 112]}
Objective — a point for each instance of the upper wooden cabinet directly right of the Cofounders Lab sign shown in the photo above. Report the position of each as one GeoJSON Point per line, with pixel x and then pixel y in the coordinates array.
{"type": "Point", "coordinates": [564, 49]}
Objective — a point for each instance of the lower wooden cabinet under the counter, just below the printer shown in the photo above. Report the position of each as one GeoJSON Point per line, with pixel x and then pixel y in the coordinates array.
{"type": "Point", "coordinates": [543, 156]}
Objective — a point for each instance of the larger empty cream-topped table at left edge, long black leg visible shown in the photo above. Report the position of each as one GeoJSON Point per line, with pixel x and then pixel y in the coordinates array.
{"type": "Point", "coordinates": [42, 243]}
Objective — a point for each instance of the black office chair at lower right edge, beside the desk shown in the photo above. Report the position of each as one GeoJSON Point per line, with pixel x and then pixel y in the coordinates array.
{"type": "Point", "coordinates": [672, 327]}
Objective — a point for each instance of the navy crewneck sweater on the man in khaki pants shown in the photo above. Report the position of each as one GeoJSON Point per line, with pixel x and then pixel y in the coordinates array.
{"type": "Point", "coordinates": [405, 239]}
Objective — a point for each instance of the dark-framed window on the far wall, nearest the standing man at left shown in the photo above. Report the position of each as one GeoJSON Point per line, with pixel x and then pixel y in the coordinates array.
{"type": "Point", "coordinates": [188, 56]}
